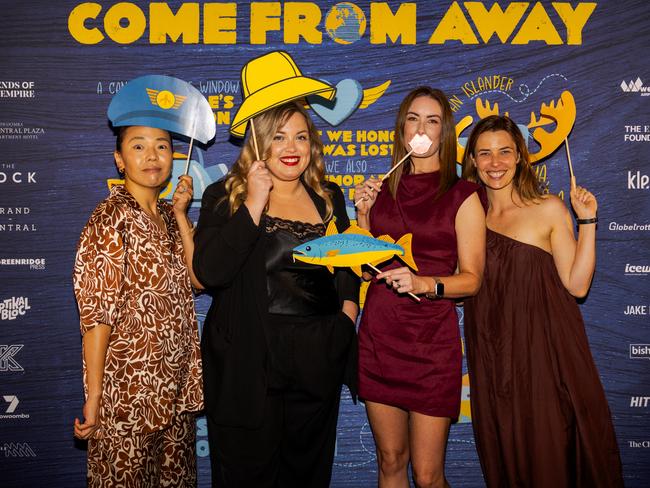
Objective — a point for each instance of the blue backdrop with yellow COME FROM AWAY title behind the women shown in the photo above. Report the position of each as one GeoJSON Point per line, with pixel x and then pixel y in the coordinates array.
{"type": "Point", "coordinates": [556, 67]}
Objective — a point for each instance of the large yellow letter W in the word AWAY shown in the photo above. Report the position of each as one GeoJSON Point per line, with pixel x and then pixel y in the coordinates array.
{"type": "Point", "coordinates": [496, 21]}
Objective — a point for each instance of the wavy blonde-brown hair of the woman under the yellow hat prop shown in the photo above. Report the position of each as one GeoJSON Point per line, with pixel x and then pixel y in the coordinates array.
{"type": "Point", "coordinates": [266, 126]}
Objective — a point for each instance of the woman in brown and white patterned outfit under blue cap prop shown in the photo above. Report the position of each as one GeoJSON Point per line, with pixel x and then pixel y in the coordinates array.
{"type": "Point", "coordinates": [141, 359]}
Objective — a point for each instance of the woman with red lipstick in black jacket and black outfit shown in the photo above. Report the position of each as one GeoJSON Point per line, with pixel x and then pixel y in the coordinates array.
{"type": "Point", "coordinates": [279, 339]}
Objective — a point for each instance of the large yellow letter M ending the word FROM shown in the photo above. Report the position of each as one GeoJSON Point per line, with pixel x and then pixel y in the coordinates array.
{"type": "Point", "coordinates": [394, 26]}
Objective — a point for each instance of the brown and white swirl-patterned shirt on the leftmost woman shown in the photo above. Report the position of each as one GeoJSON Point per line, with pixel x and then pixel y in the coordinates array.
{"type": "Point", "coordinates": [131, 276]}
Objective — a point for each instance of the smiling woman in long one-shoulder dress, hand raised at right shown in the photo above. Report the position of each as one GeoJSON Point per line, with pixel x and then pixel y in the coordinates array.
{"type": "Point", "coordinates": [539, 412]}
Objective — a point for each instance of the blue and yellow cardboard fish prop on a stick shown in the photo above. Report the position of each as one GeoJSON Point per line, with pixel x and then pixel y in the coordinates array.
{"type": "Point", "coordinates": [354, 248]}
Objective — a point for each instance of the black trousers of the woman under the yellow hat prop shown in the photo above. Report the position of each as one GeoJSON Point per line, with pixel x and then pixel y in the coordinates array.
{"type": "Point", "coordinates": [294, 446]}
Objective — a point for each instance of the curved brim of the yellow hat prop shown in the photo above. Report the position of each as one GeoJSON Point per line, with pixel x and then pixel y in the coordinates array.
{"type": "Point", "coordinates": [275, 95]}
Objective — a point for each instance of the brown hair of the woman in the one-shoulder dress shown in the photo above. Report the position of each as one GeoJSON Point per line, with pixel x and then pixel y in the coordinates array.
{"type": "Point", "coordinates": [525, 182]}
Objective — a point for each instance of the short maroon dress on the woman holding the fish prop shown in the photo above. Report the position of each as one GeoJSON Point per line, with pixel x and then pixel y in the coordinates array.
{"type": "Point", "coordinates": [409, 352]}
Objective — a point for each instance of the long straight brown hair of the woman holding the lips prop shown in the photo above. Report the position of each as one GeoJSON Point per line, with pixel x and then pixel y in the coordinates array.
{"type": "Point", "coordinates": [446, 151]}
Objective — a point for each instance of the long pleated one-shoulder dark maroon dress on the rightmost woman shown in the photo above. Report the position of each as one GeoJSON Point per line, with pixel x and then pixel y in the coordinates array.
{"type": "Point", "coordinates": [539, 412]}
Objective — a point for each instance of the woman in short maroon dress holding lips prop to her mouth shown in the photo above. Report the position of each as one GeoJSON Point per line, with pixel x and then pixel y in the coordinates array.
{"type": "Point", "coordinates": [409, 351]}
